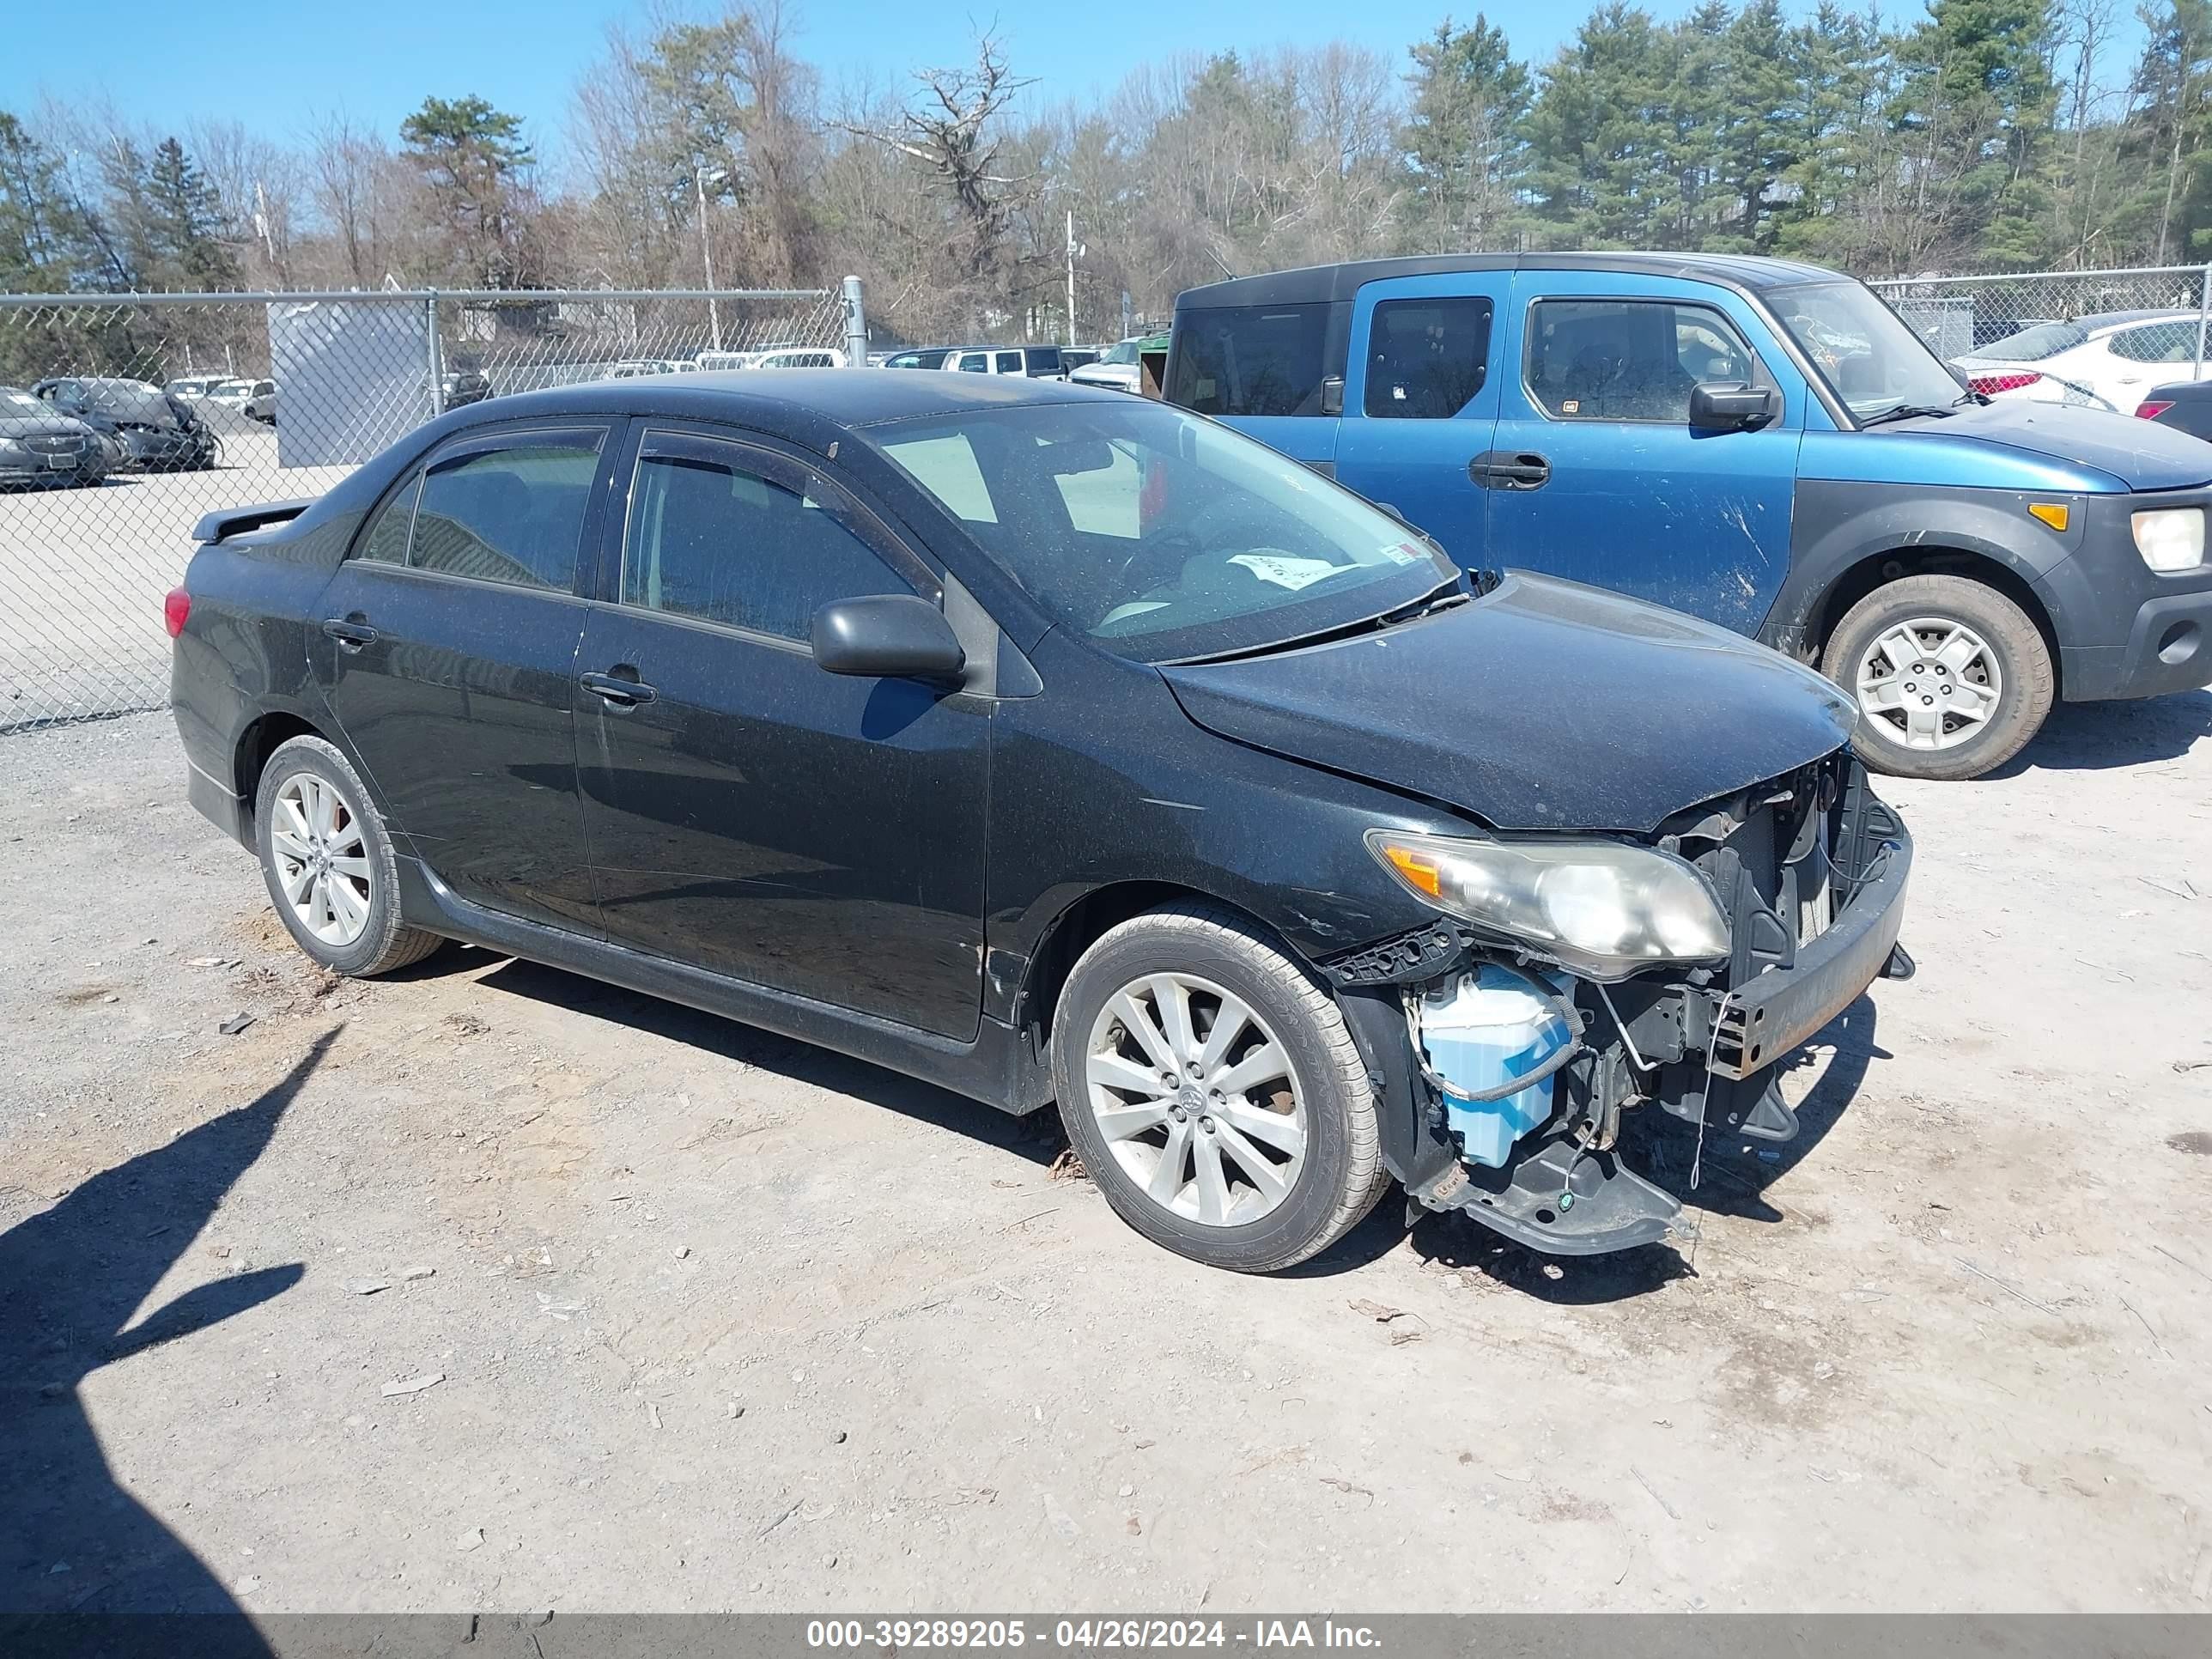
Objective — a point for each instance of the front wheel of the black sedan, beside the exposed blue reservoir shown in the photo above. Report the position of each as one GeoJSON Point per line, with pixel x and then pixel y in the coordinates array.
{"type": "Point", "coordinates": [1213, 1092]}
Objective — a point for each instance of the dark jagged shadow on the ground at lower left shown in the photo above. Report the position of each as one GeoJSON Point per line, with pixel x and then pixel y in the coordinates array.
{"type": "Point", "coordinates": [72, 1538]}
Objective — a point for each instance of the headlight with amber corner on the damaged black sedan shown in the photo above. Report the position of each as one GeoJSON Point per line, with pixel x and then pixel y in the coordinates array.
{"type": "Point", "coordinates": [1600, 908]}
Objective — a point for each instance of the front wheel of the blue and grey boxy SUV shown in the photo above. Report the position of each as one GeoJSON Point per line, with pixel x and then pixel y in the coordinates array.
{"type": "Point", "coordinates": [1952, 678]}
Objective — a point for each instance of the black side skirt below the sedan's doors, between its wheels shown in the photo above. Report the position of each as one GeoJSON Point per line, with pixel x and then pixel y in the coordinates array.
{"type": "Point", "coordinates": [997, 1067]}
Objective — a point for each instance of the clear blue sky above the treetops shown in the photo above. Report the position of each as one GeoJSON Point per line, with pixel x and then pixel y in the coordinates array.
{"type": "Point", "coordinates": [280, 67]}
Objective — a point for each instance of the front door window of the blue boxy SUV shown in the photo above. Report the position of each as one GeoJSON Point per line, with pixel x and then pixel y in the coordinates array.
{"type": "Point", "coordinates": [1631, 359]}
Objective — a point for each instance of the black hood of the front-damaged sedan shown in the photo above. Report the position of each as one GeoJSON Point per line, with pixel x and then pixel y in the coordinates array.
{"type": "Point", "coordinates": [1541, 707]}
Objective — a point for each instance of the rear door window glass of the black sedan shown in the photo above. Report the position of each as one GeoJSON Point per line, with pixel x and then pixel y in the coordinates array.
{"type": "Point", "coordinates": [508, 514]}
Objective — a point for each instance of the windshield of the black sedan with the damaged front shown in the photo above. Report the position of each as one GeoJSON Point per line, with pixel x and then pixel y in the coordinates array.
{"type": "Point", "coordinates": [1158, 534]}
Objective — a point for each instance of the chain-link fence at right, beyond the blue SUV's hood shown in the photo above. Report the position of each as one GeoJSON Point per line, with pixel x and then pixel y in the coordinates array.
{"type": "Point", "coordinates": [2091, 335]}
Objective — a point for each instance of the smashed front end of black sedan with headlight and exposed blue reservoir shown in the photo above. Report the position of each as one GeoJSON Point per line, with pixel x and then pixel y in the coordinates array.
{"type": "Point", "coordinates": [1567, 981]}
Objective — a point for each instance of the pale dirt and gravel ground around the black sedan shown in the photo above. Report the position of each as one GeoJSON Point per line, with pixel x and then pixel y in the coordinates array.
{"type": "Point", "coordinates": [720, 1322]}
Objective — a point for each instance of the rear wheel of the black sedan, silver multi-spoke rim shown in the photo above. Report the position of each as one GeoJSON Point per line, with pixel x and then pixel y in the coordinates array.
{"type": "Point", "coordinates": [328, 864]}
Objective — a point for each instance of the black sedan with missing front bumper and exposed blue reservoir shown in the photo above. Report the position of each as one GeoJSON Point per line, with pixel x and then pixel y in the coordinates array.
{"type": "Point", "coordinates": [1054, 747]}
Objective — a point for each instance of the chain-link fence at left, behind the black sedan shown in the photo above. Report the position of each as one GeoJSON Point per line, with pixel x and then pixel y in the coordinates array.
{"type": "Point", "coordinates": [129, 417]}
